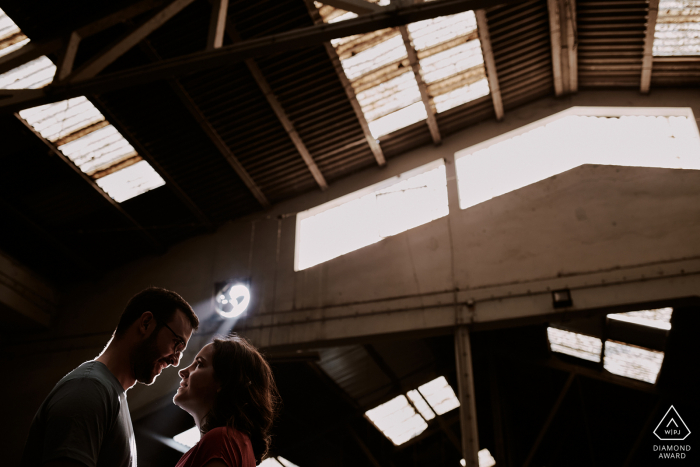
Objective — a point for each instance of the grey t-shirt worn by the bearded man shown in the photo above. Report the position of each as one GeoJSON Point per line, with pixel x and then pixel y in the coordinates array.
{"type": "Point", "coordinates": [85, 418]}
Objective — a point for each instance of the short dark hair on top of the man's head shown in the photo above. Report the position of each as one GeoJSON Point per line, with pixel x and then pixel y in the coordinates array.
{"type": "Point", "coordinates": [161, 302]}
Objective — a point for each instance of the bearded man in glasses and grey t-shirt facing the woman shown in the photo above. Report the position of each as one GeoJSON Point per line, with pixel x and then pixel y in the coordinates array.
{"type": "Point", "coordinates": [85, 419]}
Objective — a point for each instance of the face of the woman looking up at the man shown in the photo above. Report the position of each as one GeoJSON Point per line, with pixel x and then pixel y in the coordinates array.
{"type": "Point", "coordinates": [198, 387]}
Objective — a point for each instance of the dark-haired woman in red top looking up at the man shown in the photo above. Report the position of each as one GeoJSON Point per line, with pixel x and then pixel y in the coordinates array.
{"type": "Point", "coordinates": [231, 394]}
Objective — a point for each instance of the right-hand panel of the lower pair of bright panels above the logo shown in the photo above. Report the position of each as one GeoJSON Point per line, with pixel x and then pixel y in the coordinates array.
{"type": "Point", "coordinates": [632, 362]}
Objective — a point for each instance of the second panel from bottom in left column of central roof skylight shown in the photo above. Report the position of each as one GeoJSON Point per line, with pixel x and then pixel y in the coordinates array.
{"type": "Point", "coordinates": [389, 96]}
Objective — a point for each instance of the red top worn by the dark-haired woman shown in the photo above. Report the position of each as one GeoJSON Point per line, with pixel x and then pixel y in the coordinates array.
{"type": "Point", "coordinates": [227, 444]}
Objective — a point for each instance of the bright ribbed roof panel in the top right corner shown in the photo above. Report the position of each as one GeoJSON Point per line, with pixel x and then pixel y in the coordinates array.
{"type": "Point", "coordinates": [677, 28]}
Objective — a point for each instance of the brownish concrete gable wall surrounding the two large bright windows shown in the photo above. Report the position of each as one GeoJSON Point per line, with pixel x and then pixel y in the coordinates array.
{"type": "Point", "coordinates": [578, 230]}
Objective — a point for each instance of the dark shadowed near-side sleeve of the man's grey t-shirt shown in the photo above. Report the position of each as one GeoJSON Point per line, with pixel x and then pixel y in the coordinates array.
{"type": "Point", "coordinates": [78, 416]}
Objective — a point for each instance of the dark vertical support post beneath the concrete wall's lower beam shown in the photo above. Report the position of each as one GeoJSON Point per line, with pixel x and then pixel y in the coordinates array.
{"type": "Point", "coordinates": [467, 408]}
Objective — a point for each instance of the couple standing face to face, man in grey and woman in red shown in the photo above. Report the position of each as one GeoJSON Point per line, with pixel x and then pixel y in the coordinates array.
{"type": "Point", "coordinates": [228, 389]}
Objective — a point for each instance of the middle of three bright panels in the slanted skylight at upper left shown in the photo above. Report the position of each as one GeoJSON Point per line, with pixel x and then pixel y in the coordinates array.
{"type": "Point", "coordinates": [98, 150]}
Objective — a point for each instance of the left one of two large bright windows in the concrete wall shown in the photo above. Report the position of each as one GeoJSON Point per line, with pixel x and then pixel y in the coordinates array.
{"type": "Point", "coordinates": [371, 214]}
